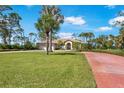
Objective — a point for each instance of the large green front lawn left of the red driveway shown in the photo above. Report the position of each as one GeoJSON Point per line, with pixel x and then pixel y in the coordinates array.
{"type": "Point", "coordinates": [37, 69]}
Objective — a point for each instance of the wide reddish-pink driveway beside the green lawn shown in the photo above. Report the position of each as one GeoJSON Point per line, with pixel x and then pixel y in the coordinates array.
{"type": "Point", "coordinates": [108, 69]}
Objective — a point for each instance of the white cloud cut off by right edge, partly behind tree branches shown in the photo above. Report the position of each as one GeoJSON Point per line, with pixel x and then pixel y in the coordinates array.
{"type": "Point", "coordinates": [114, 21]}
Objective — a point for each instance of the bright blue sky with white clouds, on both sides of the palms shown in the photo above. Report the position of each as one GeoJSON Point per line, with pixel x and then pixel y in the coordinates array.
{"type": "Point", "coordinates": [85, 18]}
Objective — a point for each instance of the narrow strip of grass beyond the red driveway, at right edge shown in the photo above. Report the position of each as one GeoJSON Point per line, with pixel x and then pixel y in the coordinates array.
{"type": "Point", "coordinates": [119, 52]}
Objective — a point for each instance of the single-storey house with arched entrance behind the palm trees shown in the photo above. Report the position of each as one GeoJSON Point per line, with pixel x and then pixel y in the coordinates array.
{"type": "Point", "coordinates": [67, 44]}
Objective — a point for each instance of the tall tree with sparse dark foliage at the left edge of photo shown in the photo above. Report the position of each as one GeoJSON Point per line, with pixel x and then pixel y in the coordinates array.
{"type": "Point", "coordinates": [9, 23]}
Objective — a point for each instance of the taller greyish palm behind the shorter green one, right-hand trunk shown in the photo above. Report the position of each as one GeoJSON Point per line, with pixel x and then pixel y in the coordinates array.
{"type": "Point", "coordinates": [57, 17]}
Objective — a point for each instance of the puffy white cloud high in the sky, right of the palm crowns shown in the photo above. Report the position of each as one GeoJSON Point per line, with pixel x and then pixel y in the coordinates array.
{"type": "Point", "coordinates": [75, 20]}
